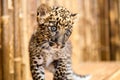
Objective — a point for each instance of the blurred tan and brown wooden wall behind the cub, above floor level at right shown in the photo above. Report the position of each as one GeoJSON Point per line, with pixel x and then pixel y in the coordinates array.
{"type": "Point", "coordinates": [95, 38]}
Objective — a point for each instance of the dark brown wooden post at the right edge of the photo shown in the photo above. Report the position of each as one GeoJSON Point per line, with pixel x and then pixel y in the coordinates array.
{"type": "Point", "coordinates": [114, 28]}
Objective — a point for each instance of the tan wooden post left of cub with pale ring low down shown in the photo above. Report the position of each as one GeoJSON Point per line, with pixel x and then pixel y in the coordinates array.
{"type": "Point", "coordinates": [17, 55]}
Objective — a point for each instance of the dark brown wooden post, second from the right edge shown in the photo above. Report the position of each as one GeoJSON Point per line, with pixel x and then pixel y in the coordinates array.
{"type": "Point", "coordinates": [103, 23]}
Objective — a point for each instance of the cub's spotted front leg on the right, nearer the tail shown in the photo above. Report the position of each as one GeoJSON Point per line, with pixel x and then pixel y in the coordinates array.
{"type": "Point", "coordinates": [63, 70]}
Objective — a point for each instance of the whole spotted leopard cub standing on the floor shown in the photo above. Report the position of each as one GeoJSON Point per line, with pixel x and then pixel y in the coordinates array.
{"type": "Point", "coordinates": [49, 46]}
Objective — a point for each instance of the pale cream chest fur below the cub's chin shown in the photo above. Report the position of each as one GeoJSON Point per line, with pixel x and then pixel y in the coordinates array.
{"type": "Point", "coordinates": [50, 53]}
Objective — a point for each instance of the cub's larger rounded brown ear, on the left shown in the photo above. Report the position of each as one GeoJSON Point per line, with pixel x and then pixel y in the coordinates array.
{"type": "Point", "coordinates": [43, 9]}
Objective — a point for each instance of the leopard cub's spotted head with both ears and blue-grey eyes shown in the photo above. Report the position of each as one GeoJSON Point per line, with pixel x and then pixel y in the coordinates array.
{"type": "Point", "coordinates": [55, 23]}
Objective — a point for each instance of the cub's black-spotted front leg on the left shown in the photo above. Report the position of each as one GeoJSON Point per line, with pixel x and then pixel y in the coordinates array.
{"type": "Point", "coordinates": [37, 67]}
